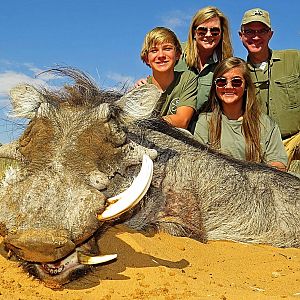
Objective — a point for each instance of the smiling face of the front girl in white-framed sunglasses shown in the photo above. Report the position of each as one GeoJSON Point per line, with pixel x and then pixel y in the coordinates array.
{"type": "Point", "coordinates": [231, 95]}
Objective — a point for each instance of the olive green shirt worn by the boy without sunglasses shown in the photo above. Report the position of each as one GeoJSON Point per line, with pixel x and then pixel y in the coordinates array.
{"type": "Point", "coordinates": [181, 92]}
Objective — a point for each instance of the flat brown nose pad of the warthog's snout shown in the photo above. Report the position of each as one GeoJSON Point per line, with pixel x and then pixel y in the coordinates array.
{"type": "Point", "coordinates": [40, 245]}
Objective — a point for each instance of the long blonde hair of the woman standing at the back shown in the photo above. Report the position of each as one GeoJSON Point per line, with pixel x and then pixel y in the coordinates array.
{"type": "Point", "coordinates": [224, 48]}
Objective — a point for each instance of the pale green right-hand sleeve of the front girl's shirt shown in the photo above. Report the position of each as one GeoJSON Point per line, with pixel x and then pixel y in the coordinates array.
{"type": "Point", "coordinates": [274, 146]}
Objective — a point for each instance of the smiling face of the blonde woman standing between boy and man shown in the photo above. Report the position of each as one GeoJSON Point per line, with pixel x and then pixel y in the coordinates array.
{"type": "Point", "coordinates": [208, 41]}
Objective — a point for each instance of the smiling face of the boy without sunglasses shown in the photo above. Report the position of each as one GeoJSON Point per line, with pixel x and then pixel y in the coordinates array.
{"type": "Point", "coordinates": [162, 57]}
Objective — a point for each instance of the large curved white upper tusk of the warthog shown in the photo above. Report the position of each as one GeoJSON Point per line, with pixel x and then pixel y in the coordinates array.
{"type": "Point", "coordinates": [130, 197]}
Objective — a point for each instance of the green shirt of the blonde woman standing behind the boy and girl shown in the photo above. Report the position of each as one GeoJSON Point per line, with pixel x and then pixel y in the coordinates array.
{"type": "Point", "coordinates": [204, 76]}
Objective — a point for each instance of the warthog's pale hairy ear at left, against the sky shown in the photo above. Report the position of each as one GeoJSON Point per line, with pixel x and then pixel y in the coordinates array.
{"type": "Point", "coordinates": [26, 101]}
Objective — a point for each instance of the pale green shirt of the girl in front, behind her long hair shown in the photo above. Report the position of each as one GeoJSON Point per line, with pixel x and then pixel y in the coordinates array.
{"type": "Point", "coordinates": [233, 140]}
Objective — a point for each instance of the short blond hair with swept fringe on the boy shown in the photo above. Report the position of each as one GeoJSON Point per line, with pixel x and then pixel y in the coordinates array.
{"type": "Point", "coordinates": [159, 35]}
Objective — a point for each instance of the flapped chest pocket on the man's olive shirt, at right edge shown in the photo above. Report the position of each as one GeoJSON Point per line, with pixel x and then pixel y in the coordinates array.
{"type": "Point", "coordinates": [288, 91]}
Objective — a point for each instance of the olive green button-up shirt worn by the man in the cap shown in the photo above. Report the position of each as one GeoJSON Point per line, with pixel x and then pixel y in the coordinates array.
{"type": "Point", "coordinates": [281, 97]}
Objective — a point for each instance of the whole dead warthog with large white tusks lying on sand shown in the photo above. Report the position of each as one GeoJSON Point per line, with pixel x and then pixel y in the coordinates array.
{"type": "Point", "coordinates": [83, 146]}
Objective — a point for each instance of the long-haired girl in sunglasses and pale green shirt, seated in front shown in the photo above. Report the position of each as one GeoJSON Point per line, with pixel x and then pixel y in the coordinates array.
{"type": "Point", "coordinates": [236, 125]}
